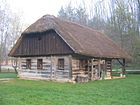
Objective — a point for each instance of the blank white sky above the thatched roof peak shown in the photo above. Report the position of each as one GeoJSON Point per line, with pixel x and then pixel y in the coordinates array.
{"type": "Point", "coordinates": [32, 10]}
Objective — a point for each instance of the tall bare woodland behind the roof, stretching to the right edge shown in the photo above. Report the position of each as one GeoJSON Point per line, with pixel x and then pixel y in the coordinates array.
{"type": "Point", "coordinates": [120, 19]}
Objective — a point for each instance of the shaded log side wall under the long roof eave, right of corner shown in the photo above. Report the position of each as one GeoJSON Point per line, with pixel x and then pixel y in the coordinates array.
{"type": "Point", "coordinates": [93, 69]}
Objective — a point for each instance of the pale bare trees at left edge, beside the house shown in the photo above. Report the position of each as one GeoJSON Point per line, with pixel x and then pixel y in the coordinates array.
{"type": "Point", "coordinates": [10, 29]}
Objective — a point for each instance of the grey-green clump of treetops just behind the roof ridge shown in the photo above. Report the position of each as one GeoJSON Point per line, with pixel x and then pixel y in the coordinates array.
{"type": "Point", "coordinates": [73, 14]}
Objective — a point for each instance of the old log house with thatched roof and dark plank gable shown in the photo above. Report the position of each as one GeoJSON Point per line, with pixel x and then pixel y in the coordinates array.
{"type": "Point", "coordinates": [55, 49]}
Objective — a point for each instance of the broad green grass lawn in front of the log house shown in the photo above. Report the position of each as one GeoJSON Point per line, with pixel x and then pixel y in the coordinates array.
{"type": "Point", "coordinates": [107, 92]}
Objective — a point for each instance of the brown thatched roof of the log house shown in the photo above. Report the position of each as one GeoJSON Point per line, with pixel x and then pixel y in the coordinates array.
{"type": "Point", "coordinates": [83, 40]}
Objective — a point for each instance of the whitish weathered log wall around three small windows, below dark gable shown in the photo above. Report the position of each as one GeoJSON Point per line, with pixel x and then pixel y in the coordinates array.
{"type": "Point", "coordinates": [50, 67]}
